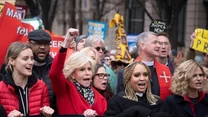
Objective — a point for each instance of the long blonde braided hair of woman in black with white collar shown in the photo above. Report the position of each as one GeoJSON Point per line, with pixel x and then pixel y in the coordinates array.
{"type": "Point", "coordinates": [130, 93]}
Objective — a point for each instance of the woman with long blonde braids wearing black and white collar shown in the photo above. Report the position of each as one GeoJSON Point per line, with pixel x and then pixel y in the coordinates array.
{"type": "Point", "coordinates": [137, 99]}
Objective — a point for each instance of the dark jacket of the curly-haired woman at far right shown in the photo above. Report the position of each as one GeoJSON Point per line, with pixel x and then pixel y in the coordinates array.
{"type": "Point", "coordinates": [182, 108]}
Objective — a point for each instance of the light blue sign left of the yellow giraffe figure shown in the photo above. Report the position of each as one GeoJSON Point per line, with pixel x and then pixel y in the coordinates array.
{"type": "Point", "coordinates": [97, 28]}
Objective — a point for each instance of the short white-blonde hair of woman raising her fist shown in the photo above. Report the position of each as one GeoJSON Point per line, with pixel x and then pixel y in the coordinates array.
{"type": "Point", "coordinates": [75, 61]}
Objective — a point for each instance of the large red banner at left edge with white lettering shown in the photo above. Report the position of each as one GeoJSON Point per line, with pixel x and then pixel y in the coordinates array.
{"type": "Point", "coordinates": [11, 29]}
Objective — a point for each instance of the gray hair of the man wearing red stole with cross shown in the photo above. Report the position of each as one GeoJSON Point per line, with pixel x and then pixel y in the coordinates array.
{"type": "Point", "coordinates": [142, 37]}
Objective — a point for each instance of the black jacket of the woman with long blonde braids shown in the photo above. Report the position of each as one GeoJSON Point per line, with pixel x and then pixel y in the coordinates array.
{"type": "Point", "coordinates": [119, 106]}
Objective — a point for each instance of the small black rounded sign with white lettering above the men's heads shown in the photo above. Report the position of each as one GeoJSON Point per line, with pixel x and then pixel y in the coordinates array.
{"type": "Point", "coordinates": [158, 26]}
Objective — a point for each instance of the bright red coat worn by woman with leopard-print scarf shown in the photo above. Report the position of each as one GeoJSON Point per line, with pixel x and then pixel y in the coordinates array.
{"type": "Point", "coordinates": [69, 100]}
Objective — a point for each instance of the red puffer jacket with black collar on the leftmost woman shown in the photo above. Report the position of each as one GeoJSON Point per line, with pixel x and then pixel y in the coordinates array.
{"type": "Point", "coordinates": [37, 95]}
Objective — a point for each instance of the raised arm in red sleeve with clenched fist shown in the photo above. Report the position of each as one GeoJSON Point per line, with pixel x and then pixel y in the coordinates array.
{"type": "Point", "coordinates": [56, 75]}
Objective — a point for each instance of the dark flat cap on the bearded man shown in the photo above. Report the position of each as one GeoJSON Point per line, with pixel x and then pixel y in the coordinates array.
{"type": "Point", "coordinates": [39, 35]}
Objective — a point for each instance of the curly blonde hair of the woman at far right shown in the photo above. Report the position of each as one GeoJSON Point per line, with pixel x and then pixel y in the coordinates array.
{"type": "Point", "coordinates": [183, 73]}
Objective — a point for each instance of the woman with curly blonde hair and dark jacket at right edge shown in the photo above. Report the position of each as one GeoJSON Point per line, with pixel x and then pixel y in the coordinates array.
{"type": "Point", "coordinates": [189, 87]}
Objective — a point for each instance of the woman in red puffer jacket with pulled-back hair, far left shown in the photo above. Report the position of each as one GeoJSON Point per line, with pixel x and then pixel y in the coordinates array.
{"type": "Point", "coordinates": [21, 94]}
